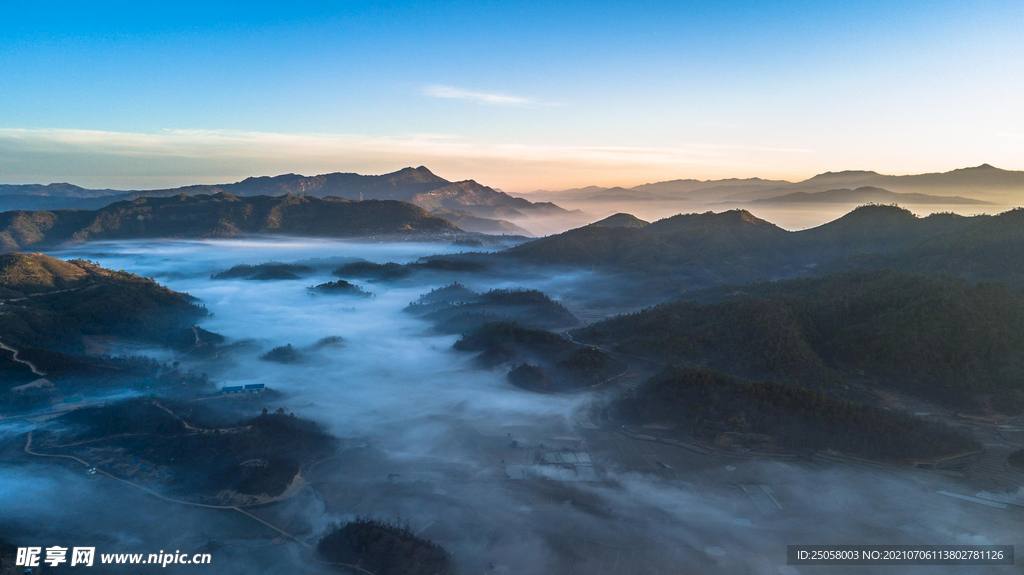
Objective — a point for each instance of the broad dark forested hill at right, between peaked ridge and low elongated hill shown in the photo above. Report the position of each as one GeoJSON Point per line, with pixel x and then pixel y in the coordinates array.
{"type": "Point", "coordinates": [935, 337]}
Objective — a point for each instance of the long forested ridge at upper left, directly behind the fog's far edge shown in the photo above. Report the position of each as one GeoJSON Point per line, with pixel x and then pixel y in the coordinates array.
{"type": "Point", "coordinates": [221, 215]}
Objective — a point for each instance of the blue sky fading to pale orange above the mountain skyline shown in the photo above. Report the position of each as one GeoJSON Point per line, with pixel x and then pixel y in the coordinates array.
{"type": "Point", "coordinates": [519, 96]}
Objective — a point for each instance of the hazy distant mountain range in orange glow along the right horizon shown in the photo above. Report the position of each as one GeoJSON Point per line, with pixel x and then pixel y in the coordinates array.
{"type": "Point", "coordinates": [980, 185]}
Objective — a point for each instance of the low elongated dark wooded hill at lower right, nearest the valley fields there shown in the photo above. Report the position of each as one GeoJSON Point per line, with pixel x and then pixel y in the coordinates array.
{"type": "Point", "coordinates": [732, 413]}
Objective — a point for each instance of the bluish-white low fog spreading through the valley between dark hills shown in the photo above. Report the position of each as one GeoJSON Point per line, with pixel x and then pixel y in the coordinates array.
{"type": "Point", "coordinates": [428, 438]}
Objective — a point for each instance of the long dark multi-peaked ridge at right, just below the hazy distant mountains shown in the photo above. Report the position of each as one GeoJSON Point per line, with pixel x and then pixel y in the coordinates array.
{"type": "Point", "coordinates": [737, 247]}
